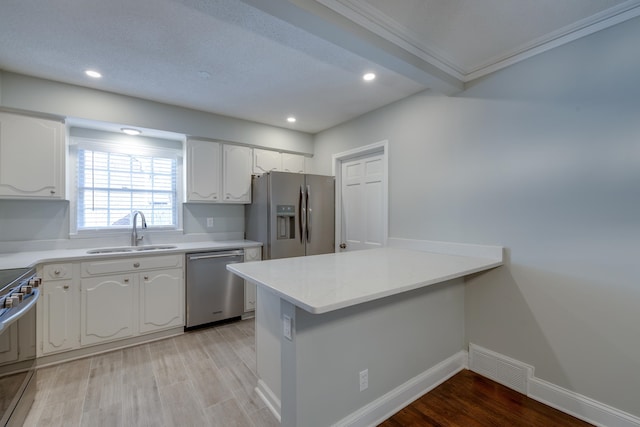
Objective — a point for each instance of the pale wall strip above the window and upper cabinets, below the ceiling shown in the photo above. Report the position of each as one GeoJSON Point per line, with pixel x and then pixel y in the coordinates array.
{"type": "Point", "coordinates": [45, 96]}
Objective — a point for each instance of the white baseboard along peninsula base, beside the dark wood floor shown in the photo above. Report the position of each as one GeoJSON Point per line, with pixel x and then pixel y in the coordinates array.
{"type": "Point", "coordinates": [382, 408]}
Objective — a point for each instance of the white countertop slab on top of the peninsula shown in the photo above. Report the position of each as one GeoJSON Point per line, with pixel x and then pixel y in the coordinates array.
{"type": "Point", "coordinates": [323, 283]}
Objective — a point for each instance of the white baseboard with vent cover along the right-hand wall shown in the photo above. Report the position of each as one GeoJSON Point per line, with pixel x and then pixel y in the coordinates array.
{"type": "Point", "coordinates": [520, 377]}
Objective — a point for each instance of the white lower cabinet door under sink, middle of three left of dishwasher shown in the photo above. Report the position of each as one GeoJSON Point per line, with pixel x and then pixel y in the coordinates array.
{"type": "Point", "coordinates": [107, 309]}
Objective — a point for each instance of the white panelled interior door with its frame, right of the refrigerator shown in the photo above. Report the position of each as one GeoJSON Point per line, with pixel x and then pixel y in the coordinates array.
{"type": "Point", "coordinates": [362, 214]}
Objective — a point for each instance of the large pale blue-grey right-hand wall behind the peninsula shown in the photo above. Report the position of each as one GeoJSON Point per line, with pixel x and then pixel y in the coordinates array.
{"type": "Point", "coordinates": [543, 158]}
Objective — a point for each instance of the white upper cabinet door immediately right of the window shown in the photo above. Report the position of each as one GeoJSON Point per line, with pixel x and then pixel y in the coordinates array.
{"type": "Point", "coordinates": [203, 171]}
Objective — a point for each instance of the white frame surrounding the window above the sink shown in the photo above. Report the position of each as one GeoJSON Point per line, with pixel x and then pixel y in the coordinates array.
{"type": "Point", "coordinates": [106, 141]}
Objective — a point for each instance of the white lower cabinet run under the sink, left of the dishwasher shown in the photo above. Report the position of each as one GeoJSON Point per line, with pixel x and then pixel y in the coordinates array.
{"type": "Point", "coordinates": [94, 302]}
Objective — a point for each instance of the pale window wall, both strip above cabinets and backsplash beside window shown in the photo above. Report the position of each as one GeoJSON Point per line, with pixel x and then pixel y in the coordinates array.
{"type": "Point", "coordinates": [49, 220]}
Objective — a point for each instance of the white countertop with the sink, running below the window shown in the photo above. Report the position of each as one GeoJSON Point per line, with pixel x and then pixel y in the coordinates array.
{"type": "Point", "coordinates": [31, 258]}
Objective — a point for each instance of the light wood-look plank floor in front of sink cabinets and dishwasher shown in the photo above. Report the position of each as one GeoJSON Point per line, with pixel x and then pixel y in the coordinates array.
{"type": "Point", "coordinates": [202, 378]}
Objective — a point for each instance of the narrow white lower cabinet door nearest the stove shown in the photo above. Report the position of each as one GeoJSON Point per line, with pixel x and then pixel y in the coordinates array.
{"type": "Point", "coordinates": [60, 305]}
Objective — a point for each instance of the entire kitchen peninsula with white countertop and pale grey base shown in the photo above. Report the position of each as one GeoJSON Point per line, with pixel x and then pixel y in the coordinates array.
{"type": "Point", "coordinates": [394, 315]}
